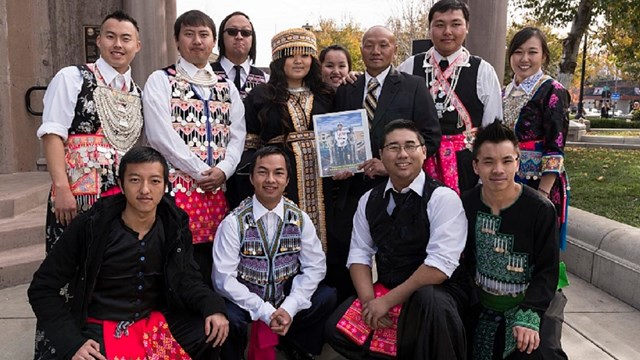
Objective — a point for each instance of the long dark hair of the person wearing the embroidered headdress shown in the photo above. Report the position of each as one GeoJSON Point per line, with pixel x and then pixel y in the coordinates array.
{"type": "Point", "coordinates": [277, 93]}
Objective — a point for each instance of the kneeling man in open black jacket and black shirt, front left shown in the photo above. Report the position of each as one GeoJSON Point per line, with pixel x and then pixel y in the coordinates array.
{"type": "Point", "coordinates": [122, 282]}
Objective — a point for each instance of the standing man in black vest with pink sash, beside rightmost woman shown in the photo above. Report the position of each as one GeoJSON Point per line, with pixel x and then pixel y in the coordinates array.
{"type": "Point", "coordinates": [465, 90]}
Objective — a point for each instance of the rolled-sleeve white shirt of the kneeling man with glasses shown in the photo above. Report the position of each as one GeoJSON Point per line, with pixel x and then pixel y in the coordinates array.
{"type": "Point", "coordinates": [447, 228]}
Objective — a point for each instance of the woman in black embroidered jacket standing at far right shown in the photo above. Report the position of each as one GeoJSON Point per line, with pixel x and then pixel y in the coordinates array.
{"type": "Point", "coordinates": [536, 107]}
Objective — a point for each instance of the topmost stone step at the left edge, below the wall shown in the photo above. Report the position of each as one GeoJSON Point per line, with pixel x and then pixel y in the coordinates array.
{"type": "Point", "coordinates": [21, 192]}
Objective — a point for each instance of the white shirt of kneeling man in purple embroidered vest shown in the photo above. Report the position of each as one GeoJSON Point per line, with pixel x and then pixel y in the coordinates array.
{"type": "Point", "coordinates": [226, 257]}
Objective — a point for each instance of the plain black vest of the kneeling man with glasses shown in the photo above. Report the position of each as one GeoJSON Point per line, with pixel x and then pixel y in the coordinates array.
{"type": "Point", "coordinates": [402, 237]}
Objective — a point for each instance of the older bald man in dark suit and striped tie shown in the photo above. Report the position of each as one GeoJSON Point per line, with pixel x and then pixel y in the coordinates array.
{"type": "Point", "coordinates": [386, 94]}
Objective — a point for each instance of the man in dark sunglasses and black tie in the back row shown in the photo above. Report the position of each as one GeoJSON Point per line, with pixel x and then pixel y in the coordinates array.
{"type": "Point", "coordinates": [237, 47]}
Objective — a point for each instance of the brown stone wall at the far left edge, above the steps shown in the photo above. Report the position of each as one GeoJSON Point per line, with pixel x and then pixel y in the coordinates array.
{"type": "Point", "coordinates": [24, 53]}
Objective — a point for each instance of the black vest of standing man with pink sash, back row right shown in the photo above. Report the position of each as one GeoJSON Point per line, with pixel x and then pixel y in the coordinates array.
{"type": "Point", "coordinates": [466, 89]}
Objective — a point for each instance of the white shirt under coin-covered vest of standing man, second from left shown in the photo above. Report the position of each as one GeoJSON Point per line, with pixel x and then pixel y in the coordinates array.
{"type": "Point", "coordinates": [162, 137]}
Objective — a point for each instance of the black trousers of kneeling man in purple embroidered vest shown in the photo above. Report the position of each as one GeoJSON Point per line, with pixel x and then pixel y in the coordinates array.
{"type": "Point", "coordinates": [305, 332]}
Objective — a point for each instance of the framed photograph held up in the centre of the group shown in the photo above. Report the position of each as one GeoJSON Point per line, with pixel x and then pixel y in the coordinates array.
{"type": "Point", "coordinates": [342, 141]}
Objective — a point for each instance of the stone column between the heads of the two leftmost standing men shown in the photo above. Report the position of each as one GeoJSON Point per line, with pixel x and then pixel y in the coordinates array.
{"type": "Point", "coordinates": [155, 18]}
